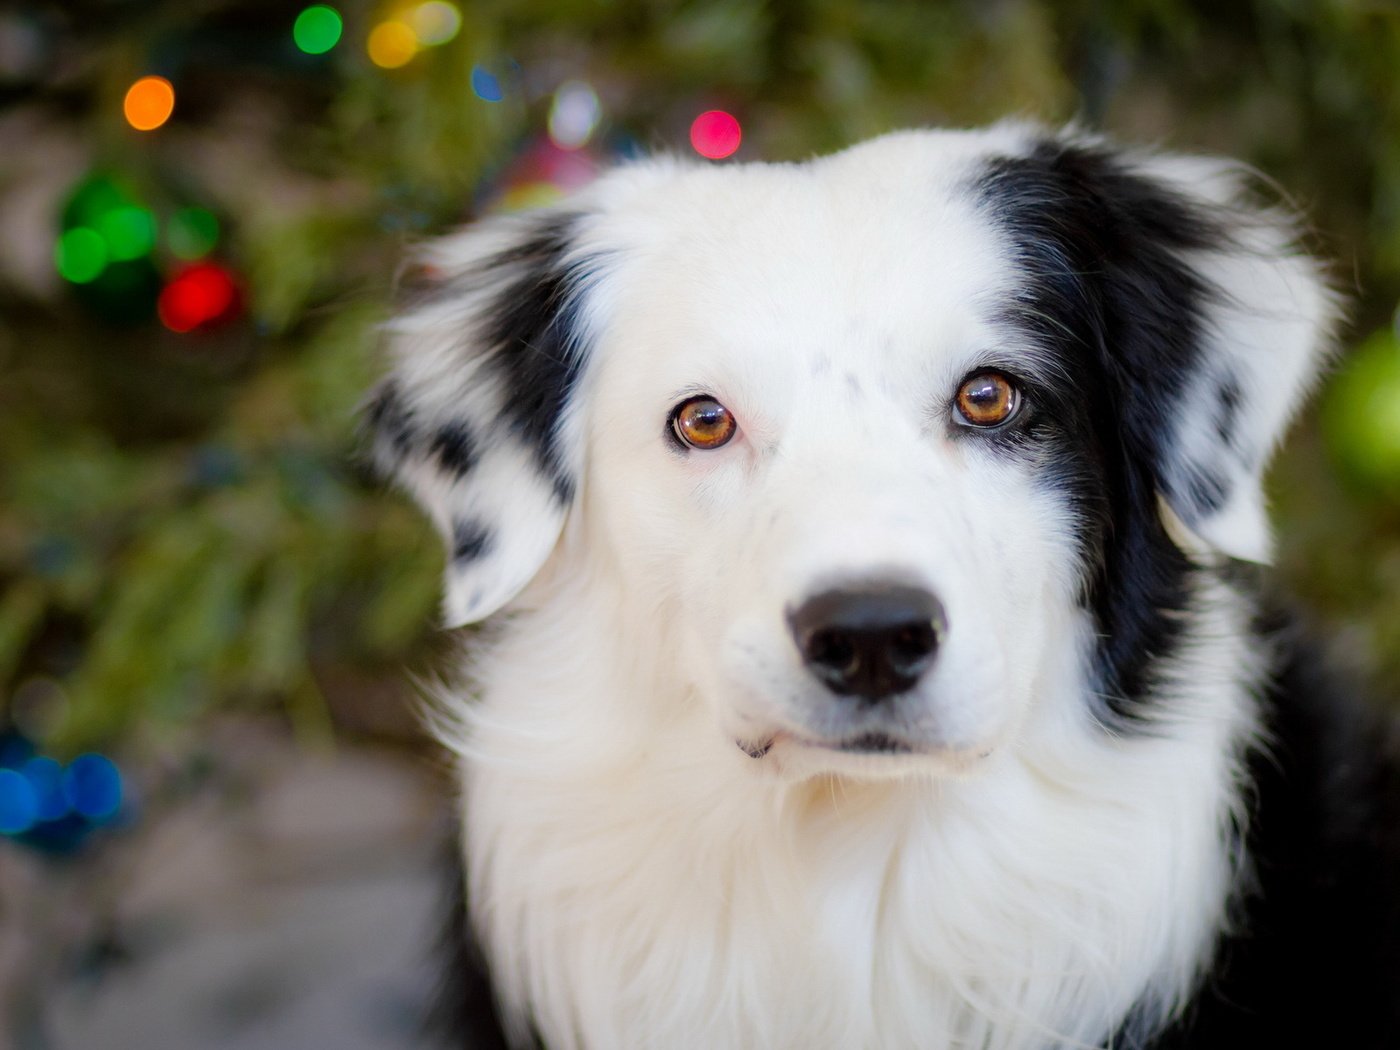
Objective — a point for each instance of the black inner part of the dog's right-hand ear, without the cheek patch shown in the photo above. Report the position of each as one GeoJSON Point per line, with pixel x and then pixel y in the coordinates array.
{"type": "Point", "coordinates": [1104, 251]}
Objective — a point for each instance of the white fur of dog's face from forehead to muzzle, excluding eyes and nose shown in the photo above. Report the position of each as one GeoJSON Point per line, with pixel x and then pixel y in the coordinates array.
{"type": "Point", "coordinates": [834, 309]}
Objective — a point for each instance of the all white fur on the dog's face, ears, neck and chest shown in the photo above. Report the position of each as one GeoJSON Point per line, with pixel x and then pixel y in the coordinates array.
{"type": "Point", "coordinates": [1021, 881]}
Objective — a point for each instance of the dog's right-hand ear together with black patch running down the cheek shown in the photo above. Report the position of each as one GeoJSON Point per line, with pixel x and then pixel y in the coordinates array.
{"type": "Point", "coordinates": [1161, 300]}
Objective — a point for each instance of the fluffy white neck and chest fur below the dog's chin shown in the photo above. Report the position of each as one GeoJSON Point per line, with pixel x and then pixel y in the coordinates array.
{"type": "Point", "coordinates": [638, 881]}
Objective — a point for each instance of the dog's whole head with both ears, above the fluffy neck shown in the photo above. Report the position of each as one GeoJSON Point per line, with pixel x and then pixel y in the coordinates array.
{"type": "Point", "coordinates": [894, 443]}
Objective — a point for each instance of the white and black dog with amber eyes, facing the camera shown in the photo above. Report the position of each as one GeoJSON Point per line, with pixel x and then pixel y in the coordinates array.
{"type": "Point", "coordinates": [874, 659]}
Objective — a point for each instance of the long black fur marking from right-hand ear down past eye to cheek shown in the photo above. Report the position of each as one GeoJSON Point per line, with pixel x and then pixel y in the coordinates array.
{"type": "Point", "coordinates": [1107, 292]}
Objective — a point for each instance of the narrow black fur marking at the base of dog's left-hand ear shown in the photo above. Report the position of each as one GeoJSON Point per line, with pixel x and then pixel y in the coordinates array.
{"type": "Point", "coordinates": [534, 332]}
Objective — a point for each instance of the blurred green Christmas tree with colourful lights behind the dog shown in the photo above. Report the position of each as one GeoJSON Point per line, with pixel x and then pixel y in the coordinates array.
{"type": "Point", "coordinates": [205, 208]}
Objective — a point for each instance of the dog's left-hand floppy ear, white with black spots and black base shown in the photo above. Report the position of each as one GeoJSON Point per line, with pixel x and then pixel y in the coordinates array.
{"type": "Point", "coordinates": [477, 418]}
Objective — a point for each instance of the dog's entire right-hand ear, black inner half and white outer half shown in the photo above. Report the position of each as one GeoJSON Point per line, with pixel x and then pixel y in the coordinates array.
{"type": "Point", "coordinates": [1206, 317]}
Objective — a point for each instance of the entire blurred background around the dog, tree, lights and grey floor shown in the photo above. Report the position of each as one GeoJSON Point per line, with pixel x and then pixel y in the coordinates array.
{"type": "Point", "coordinates": [218, 817]}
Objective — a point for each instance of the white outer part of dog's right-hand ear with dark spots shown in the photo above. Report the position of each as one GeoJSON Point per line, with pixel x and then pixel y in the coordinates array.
{"type": "Point", "coordinates": [1266, 331]}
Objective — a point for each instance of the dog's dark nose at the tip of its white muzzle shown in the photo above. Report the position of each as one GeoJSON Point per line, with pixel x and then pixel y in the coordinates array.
{"type": "Point", "coordinates": [873, 643]}
